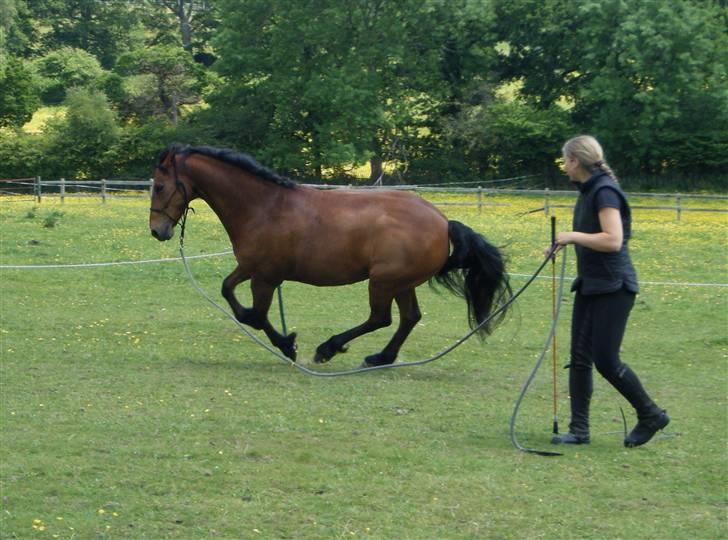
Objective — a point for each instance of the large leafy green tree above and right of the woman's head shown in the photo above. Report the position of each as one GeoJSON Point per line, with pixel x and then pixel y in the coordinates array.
{"type": "Point", "coordinates": [659, 98]}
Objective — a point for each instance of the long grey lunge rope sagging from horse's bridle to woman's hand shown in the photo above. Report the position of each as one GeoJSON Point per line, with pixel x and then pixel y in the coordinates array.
{"type": "Point", "coordinates": [315, 373]}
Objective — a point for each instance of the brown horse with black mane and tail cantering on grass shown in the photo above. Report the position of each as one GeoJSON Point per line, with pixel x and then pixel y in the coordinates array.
{"type": "Point", "coordinates": [281, 230]}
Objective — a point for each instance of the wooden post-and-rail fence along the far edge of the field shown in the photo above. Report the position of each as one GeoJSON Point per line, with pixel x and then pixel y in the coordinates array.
{"type": "Point", "coordinates": [107, 188]}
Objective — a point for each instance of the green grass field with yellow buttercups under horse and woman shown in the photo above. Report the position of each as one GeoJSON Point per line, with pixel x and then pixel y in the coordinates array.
{"type": "Point", "coordinates": [132, 409]}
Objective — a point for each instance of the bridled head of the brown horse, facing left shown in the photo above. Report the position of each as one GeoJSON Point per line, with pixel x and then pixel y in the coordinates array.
{"type": "Point", "coordinates": [170, 195]}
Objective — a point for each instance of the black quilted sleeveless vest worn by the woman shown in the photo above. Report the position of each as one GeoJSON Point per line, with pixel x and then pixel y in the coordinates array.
{"type": "Point", "coordinates": [599, 272]}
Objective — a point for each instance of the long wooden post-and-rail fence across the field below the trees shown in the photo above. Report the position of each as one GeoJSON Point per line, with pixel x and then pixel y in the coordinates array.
{"type": "Point", "coordinates": [36, 189]}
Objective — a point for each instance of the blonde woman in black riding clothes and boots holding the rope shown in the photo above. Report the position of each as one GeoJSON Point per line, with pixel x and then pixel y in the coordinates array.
{"type": "Point", "coordinates": [605, 287]}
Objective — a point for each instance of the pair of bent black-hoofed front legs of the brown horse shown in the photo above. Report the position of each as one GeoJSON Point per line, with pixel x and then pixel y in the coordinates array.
{"type": "Point", "coordinates": [257, 316]}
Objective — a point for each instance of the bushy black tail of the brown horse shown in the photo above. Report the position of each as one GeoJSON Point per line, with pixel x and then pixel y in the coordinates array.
{"type": "Point", "coordinates": [475, 271]}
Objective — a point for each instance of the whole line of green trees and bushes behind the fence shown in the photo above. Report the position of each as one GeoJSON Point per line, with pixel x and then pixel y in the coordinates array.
{"type": "Point", "coordinates": [419, 91]}
